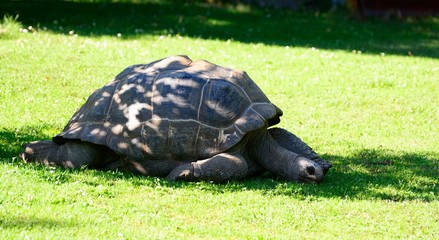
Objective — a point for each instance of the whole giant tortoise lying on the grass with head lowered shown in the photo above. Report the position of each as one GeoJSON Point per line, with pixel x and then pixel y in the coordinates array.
{"type": "Point", "coordinates": [182, 120]}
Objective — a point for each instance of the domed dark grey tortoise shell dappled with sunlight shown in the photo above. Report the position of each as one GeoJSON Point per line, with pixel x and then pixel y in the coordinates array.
{"type": "Point", "coordinates": [173, 108]}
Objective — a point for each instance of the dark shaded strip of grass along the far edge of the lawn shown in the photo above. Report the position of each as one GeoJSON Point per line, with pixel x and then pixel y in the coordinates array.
{"type": "Point", "coordinates": [272, 27]}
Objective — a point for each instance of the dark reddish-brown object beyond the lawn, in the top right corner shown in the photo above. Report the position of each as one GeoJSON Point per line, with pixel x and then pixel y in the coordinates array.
{"type": "Point", "coordinates": [399, 8]}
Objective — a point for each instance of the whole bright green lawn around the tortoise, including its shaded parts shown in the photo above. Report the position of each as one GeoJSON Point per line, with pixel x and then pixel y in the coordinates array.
{"type": "Point", "coordinates": [374, 114]}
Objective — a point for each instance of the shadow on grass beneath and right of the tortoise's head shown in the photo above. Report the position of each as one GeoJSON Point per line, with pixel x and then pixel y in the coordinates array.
{"type": "Point", "coordinates": [368, 174]}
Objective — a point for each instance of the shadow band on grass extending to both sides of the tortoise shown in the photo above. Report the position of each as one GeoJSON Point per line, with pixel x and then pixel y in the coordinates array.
{"type": "Point", "coordinates": [367, 174]}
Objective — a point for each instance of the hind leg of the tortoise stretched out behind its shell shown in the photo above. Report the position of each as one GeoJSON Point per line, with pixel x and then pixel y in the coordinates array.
{"type": "Point", "coordinates": [72, 154]}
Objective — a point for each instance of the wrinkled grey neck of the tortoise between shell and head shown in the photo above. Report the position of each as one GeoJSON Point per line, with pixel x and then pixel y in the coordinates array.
{"type": "Point", "coordinates": [264, 150]}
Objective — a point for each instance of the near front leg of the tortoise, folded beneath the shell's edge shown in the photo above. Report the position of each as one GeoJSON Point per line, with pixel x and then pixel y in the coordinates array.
{"type": "Point", "coordinates": [219, 168]}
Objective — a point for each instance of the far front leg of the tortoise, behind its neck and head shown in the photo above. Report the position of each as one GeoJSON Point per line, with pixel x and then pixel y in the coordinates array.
{"type": "Point", "coordinates": [294, 144]}
